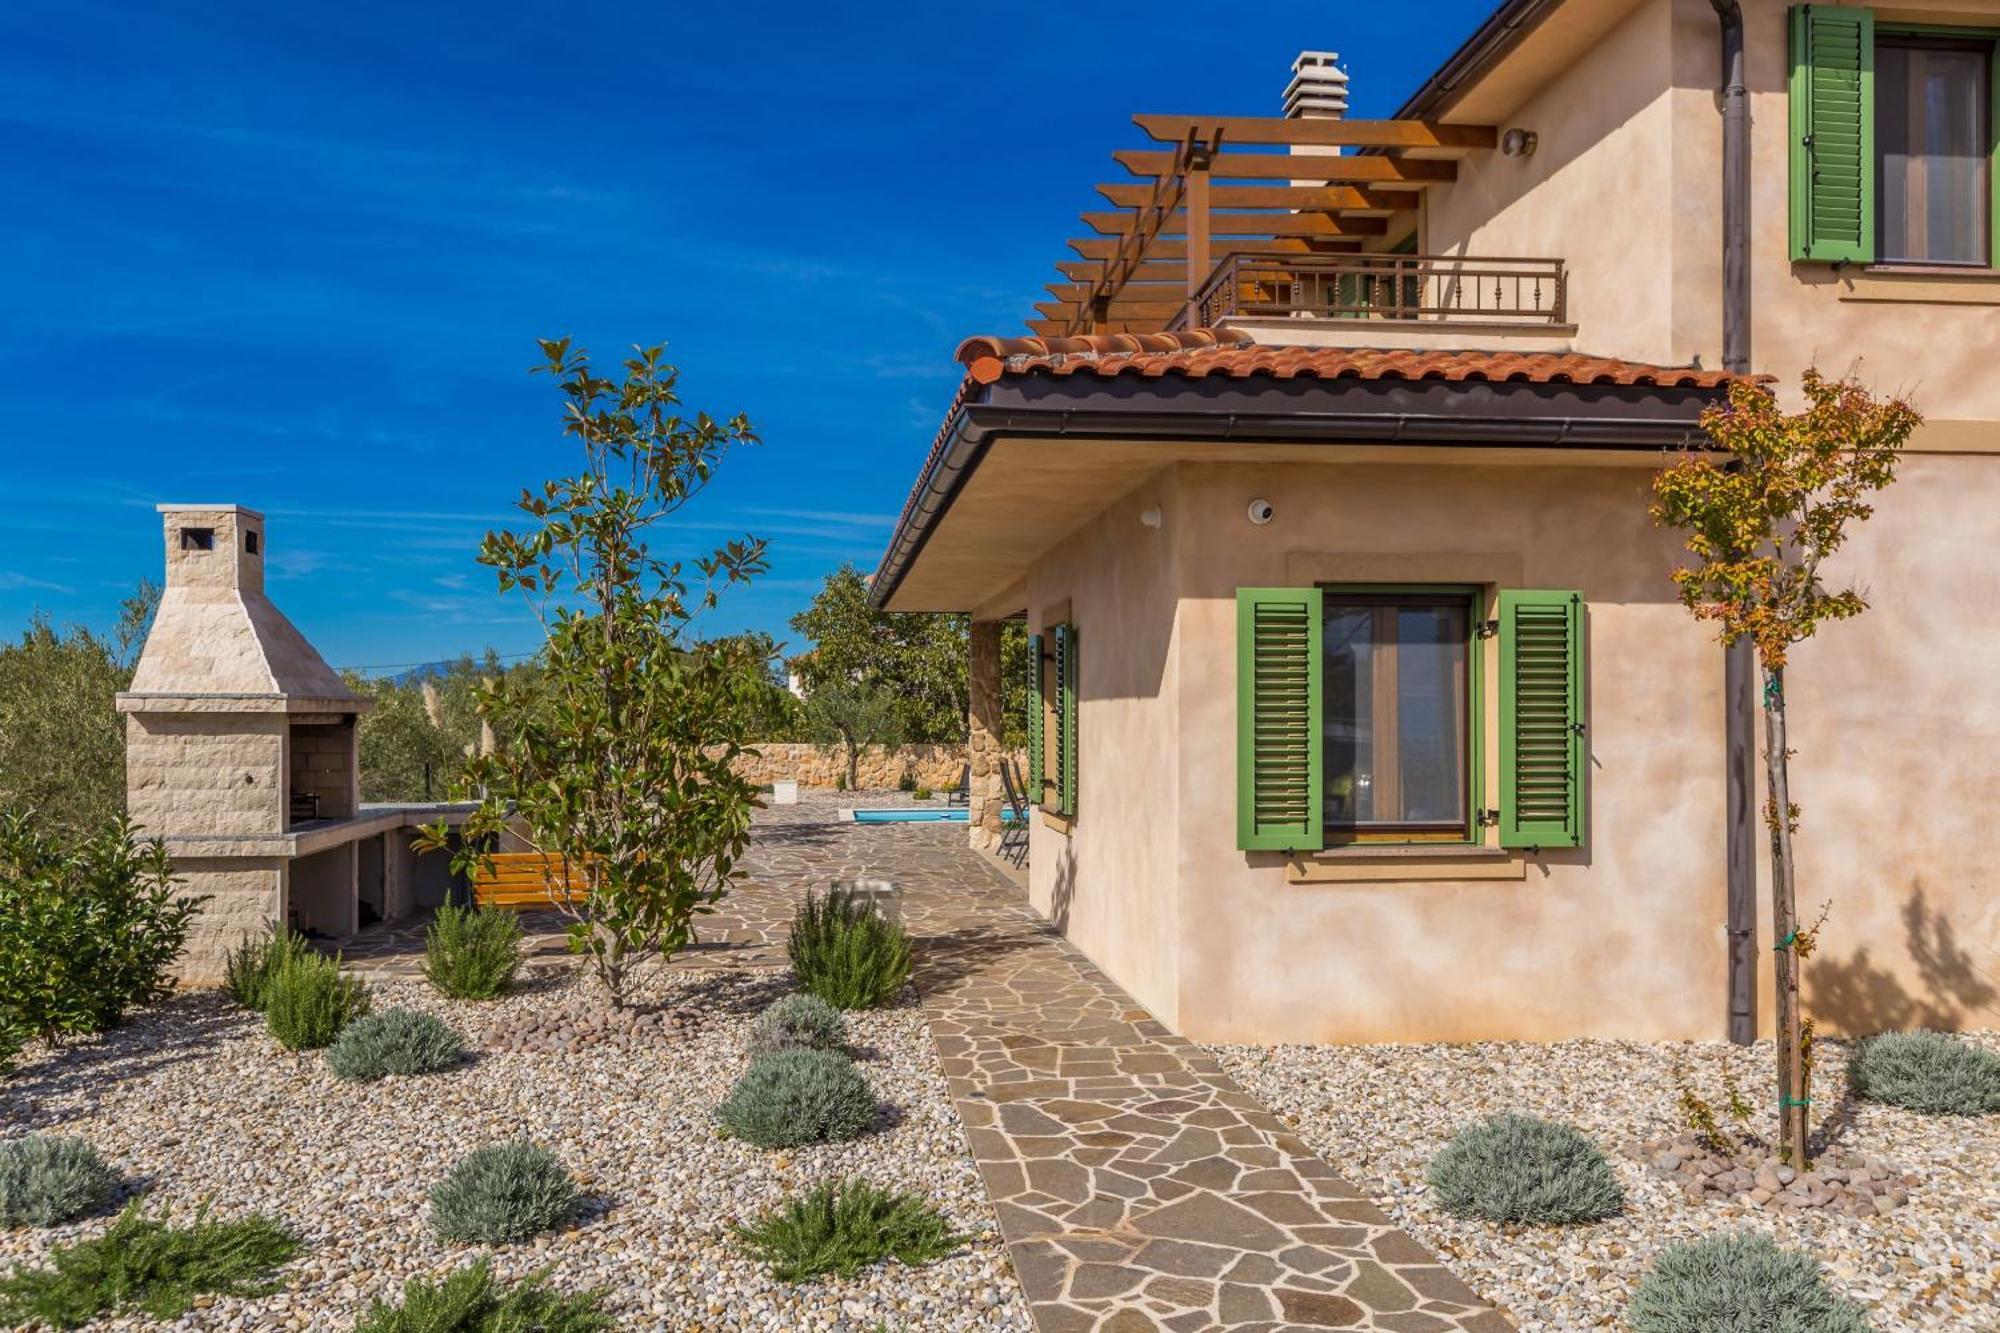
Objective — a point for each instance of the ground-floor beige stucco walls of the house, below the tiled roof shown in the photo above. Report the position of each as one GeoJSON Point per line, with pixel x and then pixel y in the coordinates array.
{"type": "Point", "coordinates": [1619, 940]}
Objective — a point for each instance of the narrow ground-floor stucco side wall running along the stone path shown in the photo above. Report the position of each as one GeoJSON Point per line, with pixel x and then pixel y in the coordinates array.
{"type": "Point", "coordinates": [1109, 880]}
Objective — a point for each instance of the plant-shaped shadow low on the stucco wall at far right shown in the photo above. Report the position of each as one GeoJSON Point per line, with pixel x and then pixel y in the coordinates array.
{"type": "Point", "coordinates": [1861, 998]}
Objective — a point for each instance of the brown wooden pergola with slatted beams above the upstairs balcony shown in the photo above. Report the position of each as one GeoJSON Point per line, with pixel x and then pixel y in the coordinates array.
{"type": "Point", "coordinates": [1201, 203]}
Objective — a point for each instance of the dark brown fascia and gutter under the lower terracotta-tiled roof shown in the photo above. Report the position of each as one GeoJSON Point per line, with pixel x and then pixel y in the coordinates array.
{"type": "Point", "coordinates": [1299, 411]}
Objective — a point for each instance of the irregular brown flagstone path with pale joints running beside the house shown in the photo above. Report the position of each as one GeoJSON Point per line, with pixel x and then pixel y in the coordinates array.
{"type": "Point", "coordinates": [1139, 1188]}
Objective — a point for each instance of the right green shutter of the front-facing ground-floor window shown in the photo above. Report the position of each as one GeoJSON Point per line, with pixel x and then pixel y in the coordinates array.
{"type": "Point", "coordinates": [1543, 752]}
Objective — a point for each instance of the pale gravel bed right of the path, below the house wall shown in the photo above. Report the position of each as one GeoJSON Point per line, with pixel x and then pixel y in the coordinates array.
{"type": "Point", "coordinates": [1379, 1114]}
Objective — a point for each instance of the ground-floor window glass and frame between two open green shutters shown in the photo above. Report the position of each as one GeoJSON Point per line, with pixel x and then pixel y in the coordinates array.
{"type": "Point", "coordinates": [1395, 680]}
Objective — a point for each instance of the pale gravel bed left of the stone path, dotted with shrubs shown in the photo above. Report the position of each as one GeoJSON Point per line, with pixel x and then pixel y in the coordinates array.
{"type": "Point", "coordinates": [195, 1102]}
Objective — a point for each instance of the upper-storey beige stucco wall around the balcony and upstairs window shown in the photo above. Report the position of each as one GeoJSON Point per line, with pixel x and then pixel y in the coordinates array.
{"type": "Point", "coordinates": [1625, 187]}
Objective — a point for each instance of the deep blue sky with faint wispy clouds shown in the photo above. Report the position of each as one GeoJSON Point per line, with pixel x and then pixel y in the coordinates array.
{"type": "Point", "coordinates": [297, 257]}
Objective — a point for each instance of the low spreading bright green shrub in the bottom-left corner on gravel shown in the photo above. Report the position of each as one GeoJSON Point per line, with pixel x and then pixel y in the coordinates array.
{"type": "Point", "coordinates": [147, 1266]}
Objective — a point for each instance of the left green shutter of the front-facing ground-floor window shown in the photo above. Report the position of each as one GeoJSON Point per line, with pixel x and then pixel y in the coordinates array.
{"type": "Point", "coordinates": [1279, 744]}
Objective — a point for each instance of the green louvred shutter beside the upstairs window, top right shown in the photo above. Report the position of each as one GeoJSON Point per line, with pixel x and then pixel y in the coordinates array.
{"type": "Point", "coordinates": [1833, 133]}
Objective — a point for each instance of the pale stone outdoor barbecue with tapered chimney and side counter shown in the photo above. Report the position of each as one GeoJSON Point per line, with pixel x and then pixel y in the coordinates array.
{"type": "Point", "coordinates": [243, 756]}
